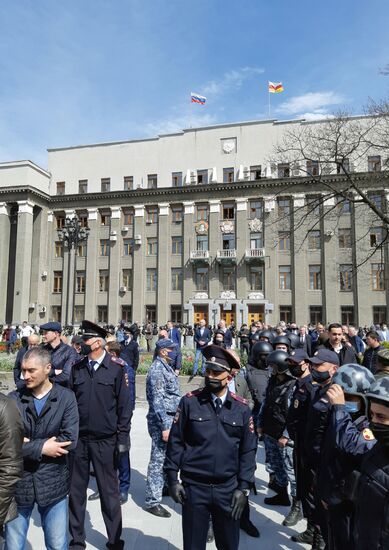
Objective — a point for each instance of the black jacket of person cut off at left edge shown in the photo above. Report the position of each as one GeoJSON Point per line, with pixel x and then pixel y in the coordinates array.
{"type": "Point", "coordinates": [11, 460]}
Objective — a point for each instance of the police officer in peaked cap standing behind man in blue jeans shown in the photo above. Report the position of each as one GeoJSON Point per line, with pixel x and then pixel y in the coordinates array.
{"type": "Point", "coordinates": [103, 398]}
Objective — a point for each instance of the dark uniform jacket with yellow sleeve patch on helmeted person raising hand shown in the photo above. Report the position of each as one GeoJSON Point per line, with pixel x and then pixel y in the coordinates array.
{"type": "Point", "coordinates": [344, 446]}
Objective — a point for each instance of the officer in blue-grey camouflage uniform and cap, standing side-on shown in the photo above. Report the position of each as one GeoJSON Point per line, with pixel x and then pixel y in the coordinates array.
{"type": "Point", "coordinates": [163, 396]}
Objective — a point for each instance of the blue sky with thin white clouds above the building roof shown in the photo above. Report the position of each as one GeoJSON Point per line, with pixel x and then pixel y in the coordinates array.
{"type": "Point", "coordinates": [90, 71]}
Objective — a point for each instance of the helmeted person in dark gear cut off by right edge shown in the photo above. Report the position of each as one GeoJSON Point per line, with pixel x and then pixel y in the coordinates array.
{"type": "Point", "coordinates": [371, 518]}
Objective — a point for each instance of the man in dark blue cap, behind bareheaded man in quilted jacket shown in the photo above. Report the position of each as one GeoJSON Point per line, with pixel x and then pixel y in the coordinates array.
{"type": "Point", "coordinates": [63, 357]}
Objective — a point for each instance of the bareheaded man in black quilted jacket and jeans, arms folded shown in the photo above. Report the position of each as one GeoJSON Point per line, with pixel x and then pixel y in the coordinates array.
{"type": "Point", "coordinates": [50, 418]}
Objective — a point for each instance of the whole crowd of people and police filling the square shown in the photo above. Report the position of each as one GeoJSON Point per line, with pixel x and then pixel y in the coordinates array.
{"type": "Point", "coordinates": [317, 397]}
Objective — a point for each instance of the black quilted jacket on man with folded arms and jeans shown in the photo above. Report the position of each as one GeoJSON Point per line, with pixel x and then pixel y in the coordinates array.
{"type": "Point", "coordinates": [45, 479]}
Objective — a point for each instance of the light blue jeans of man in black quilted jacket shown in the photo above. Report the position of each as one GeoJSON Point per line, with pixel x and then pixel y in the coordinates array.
{"type": "Point", "coordinates": [54, 520]}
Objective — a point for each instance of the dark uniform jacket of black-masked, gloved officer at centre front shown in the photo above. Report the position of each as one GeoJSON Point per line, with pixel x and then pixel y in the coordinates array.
{"type": "Point", "coordinates": [210, 448]}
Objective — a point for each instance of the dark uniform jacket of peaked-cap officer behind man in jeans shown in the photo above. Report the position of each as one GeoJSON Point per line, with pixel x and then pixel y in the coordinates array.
{"type": "Point", "coordinates": [103, 398]}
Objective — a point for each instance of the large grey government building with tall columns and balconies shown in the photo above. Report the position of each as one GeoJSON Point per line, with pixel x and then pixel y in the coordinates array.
{"type": "Point", "coordinates": [196, 224]}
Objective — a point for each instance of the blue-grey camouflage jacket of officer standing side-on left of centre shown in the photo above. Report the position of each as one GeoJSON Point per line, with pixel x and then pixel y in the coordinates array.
{"type": "Point", "coordinates": [163, 394]}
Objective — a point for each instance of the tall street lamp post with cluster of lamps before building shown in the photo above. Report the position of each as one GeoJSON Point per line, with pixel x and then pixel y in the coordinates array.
{"type": "Point", "coordinates": [71, 235]}
